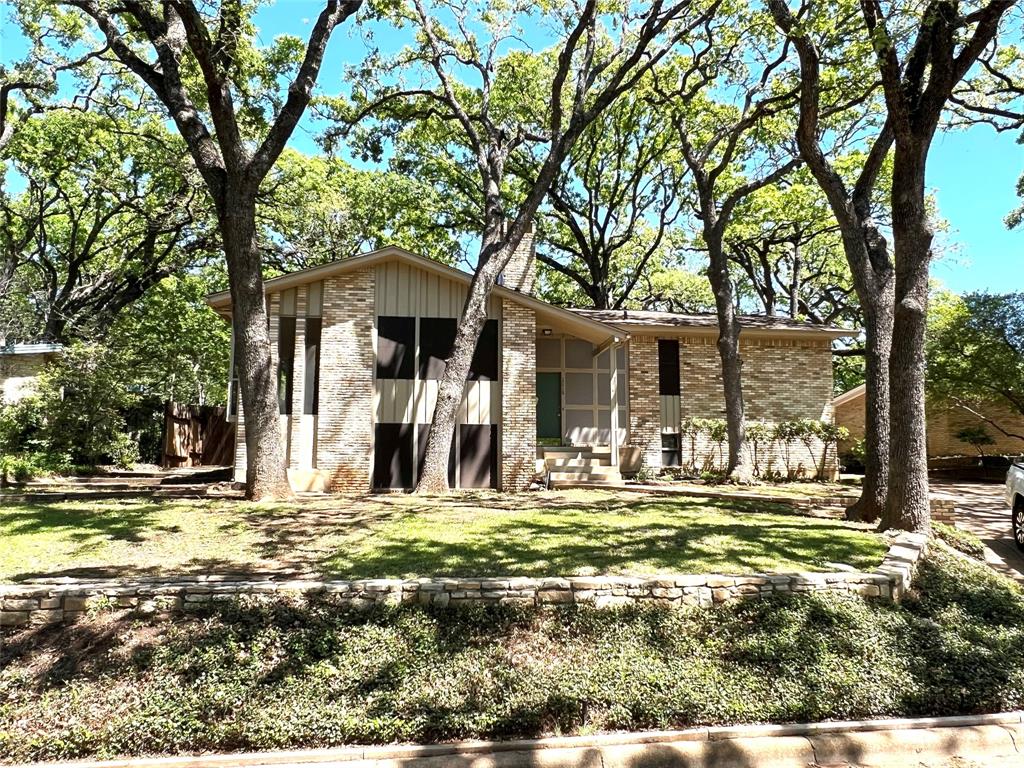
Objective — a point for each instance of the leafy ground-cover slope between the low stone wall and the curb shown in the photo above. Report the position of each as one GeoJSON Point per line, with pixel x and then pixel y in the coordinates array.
{"type": "Point", "coordinates": [311, 674]}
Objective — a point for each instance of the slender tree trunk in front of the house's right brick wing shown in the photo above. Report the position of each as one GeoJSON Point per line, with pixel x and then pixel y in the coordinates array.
{"type": "Point", "coordinates": [739, 467]}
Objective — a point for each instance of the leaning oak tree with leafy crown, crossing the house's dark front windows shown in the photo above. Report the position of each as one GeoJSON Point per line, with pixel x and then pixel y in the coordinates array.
{"type": "Point", "coordinates": [596, 55]}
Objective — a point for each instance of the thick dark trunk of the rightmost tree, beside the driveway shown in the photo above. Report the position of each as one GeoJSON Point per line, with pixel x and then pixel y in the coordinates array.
{"type": "Point", "coordinates": [908, 507]}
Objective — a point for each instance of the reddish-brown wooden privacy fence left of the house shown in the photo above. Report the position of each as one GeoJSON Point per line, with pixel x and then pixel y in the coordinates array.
{"type": "Point", "coordinates": [197, 437]}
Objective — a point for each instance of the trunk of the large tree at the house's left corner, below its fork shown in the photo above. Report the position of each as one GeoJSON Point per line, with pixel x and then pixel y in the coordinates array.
{"type": "Point", "coordinates": [266, 474]}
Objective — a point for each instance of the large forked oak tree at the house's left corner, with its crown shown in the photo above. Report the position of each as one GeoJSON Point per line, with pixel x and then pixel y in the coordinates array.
{"type": "Point", "coordinates": [225, 96]}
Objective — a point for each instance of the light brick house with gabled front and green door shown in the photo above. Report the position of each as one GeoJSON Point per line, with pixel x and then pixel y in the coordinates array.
{"type": "Point", "coordinates": [360, 346]}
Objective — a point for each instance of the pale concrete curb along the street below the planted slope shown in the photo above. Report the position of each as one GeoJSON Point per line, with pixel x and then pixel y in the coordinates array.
{"type": "Point", "coordinates": [991, 739]}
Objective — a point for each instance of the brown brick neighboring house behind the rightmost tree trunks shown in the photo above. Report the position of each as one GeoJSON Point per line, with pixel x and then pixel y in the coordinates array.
{"type": "Point", "coordinates": [946, 420]}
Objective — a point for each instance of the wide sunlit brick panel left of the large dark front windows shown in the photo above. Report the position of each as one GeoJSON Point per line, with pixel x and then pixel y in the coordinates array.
{"type": "Point", "coordinates": [345, 446]}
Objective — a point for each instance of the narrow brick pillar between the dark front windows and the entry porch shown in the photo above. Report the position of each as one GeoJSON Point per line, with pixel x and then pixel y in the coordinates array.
{"type": "Point", "coordinates": [519, 436]}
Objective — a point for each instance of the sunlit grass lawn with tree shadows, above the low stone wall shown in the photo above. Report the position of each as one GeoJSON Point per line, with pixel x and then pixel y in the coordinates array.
{"type": "Point", "coordinates": [572, 533]}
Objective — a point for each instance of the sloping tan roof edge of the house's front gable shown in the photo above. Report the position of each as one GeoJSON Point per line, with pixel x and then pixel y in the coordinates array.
{"type": "Point", "coordinates": [583, 327]}
